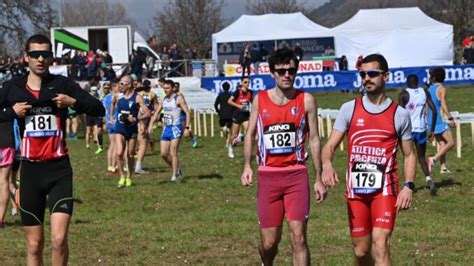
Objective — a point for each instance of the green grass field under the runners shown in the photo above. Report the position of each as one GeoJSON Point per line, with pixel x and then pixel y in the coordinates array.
{"type": "Point", "coordinates": [209, 219]}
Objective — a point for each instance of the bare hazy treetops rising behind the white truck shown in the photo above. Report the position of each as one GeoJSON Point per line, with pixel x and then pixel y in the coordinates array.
{"type": "Point", "coordinates": [94, 13]}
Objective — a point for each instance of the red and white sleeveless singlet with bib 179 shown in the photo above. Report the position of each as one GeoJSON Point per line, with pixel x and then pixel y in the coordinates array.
{"type": "Point", "coordinates": [372, 157]}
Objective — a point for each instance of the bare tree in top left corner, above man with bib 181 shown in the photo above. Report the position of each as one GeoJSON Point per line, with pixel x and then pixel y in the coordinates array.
{"type": "Point", "coordinates": [21, 18]}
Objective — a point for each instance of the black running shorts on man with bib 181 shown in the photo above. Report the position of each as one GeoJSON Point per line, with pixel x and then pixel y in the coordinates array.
{"type": "Point", "coordinates": [44, 183]}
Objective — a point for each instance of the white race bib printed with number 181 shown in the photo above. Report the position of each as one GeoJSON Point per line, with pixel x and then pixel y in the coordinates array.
{"type": "Point", "coordinates": [43, 125]}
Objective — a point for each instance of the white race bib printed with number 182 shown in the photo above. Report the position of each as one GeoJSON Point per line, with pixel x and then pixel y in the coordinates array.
{"type": "Point", "coordinates": [280, 138]}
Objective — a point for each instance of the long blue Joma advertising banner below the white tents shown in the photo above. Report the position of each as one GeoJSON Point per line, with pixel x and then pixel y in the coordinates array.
{"type": "Point", "coordinates": [344, 80]}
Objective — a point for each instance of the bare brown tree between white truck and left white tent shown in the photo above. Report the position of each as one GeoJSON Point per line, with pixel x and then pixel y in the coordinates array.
{"type": "Point", "coordinates": [190, 23]}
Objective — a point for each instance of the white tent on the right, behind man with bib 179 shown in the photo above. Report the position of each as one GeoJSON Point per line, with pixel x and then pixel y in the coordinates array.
{"type": "Point", "coordinates": [407, 37]}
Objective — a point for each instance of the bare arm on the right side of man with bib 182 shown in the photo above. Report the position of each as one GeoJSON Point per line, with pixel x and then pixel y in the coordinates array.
{"type": "Point", "coordinates": [311, 111]}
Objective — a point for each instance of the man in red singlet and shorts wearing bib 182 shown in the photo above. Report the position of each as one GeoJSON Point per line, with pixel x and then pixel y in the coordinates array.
{"type": "Point", "coordinates": [283, 118]}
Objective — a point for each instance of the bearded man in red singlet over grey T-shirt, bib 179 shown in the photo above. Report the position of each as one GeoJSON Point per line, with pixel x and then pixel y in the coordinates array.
{"type": "Point", "coordinates": [375, 126]}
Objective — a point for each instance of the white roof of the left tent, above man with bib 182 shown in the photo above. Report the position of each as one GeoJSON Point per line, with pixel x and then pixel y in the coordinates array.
{"type": "Point", "coordinates": [268, 27]}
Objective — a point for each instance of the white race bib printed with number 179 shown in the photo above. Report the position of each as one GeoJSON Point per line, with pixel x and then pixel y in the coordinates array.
{"type": "Point", "coordinates": [366, 177]}
